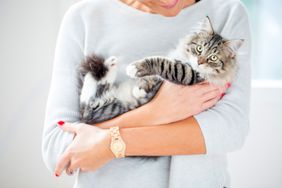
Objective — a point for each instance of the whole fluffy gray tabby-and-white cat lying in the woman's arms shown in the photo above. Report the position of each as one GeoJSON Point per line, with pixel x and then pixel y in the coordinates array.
{"type": "Point", "coordinates": [202, 55]}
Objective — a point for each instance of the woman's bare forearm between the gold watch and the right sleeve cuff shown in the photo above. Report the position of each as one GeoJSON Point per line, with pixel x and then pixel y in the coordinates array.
{"type": "Point", "coordinates": [179, 138]}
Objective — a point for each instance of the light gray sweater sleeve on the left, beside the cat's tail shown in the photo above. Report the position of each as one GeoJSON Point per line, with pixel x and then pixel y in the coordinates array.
{"type": "Point", "coordinates": [63, 97]}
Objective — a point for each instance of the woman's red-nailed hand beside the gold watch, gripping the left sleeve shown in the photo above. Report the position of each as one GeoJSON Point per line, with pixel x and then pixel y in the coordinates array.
{"type": "Point", "coordinates": [89, 150]}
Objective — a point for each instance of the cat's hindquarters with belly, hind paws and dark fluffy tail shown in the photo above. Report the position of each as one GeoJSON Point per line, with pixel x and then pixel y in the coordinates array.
{"type": "Point", "coordinates": [102, 99]}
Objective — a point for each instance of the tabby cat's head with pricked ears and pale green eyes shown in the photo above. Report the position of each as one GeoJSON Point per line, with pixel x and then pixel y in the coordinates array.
{"type": "Point", "coordinates": [210, 54]}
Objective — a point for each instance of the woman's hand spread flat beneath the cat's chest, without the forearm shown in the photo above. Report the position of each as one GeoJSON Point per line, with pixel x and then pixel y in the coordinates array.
{"type": "Point", "coordinates": [176, 102]}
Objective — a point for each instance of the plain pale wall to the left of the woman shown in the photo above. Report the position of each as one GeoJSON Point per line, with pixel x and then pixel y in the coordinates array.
{"type": "Point", "coordinates": [28, 31]}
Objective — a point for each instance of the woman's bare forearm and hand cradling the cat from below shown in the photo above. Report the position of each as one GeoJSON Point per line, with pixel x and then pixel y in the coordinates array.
{"type": "Point", "coordinates": [172, 103]}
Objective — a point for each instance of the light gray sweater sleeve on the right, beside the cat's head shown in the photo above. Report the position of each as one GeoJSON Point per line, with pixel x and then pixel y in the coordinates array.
{"type": "Point", "coordinates": [225, 126]}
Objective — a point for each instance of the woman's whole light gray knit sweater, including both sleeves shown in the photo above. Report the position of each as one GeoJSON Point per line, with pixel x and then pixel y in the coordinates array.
{"type": "Point", "coordinates": [110, 27]}
